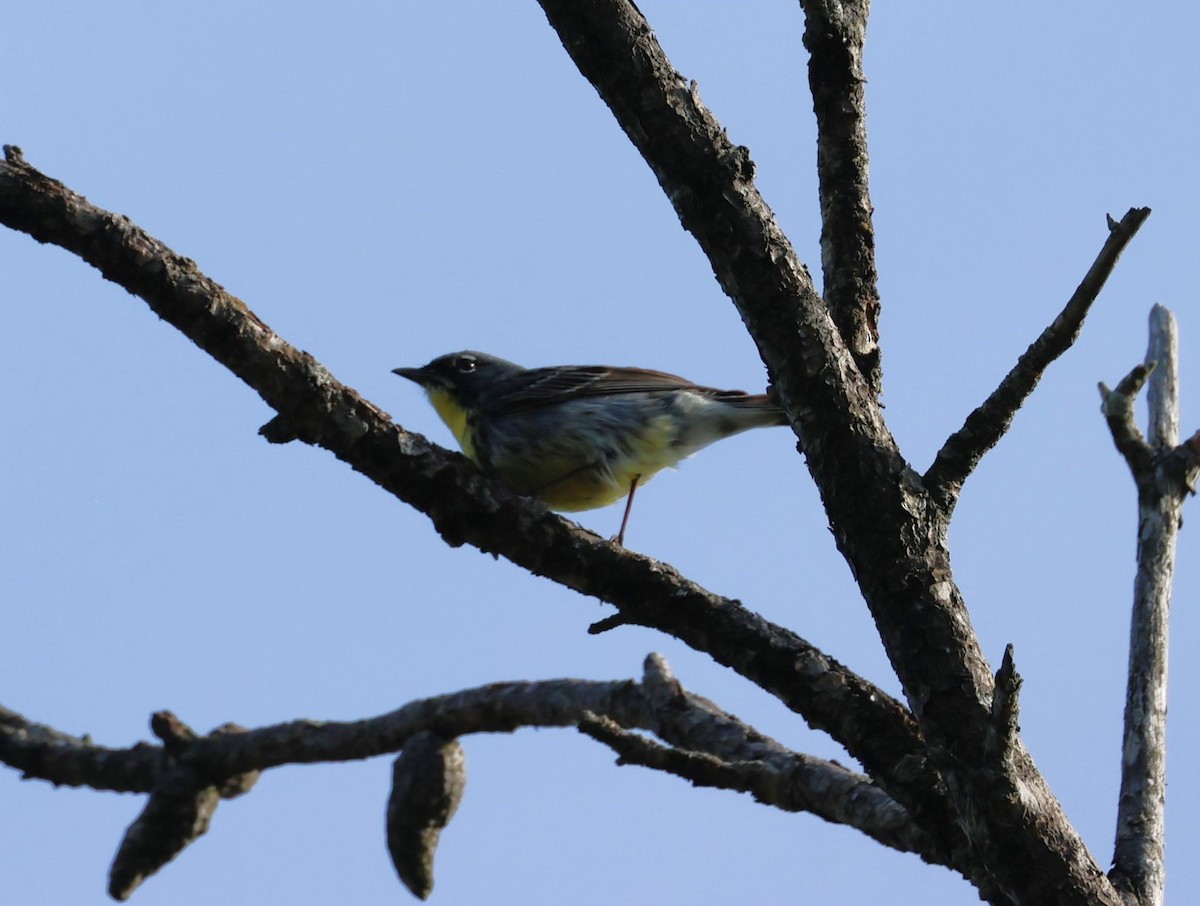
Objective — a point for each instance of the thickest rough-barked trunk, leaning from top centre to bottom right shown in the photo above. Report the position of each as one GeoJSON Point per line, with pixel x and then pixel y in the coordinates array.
{"type": "Point", "coordinates": [889, 529]}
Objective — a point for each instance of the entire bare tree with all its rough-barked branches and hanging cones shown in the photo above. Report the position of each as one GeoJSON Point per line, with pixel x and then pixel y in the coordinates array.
{"type": "Point", "coordinates": [945, 772]}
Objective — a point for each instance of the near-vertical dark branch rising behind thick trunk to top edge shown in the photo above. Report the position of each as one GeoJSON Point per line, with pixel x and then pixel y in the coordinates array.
{"type": "Point", "coordinates": [835, 35]}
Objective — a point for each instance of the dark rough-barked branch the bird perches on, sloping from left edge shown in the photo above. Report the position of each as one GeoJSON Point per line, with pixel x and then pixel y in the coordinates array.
{"type": "Point", "coordinates": [467, 507]}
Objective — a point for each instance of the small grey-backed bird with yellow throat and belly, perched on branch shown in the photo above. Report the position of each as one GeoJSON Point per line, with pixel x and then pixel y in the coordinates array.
{"type": "Point", "coordinates": [579, 437]}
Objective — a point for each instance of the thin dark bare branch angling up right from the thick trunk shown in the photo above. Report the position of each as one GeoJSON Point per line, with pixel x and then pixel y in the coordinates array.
{"type": "Point", "coordinates": [983, 428]}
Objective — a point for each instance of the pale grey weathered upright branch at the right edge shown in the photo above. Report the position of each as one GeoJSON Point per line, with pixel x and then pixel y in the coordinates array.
{"type": "Point", "coordinates": [1165, 473]}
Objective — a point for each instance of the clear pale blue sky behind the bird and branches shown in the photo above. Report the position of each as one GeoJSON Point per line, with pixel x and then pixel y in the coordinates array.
{"type": "Point", "coordinates": [387, 183]}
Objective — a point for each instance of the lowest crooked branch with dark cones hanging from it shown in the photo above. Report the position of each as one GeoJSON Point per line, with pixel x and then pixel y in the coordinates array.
{"type": "Point", "coordinates": [190, 773]}
